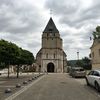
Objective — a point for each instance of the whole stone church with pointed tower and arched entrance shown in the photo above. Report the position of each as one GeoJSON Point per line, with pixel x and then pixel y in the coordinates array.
{"type": "Point", "coordinates": [51, 57]}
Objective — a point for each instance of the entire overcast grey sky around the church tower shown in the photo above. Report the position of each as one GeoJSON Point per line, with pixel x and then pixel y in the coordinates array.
{"type": "Point", "coordinates": [23, 21]}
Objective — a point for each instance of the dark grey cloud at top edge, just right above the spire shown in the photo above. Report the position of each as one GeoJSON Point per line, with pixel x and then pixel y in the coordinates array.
{"type": "Point", "coordinates": [63, 6]}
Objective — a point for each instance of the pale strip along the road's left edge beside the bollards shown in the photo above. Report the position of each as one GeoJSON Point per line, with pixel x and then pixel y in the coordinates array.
{"type": "Point", "coordinates": [23, 89]}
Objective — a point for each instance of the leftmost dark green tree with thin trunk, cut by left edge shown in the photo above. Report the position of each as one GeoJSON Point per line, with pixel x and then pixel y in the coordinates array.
{"type": "Point", "coordinates": [8, 53]}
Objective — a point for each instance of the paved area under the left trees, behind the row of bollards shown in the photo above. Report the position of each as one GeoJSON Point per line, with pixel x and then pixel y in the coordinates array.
{"type": "Point", "coordinates": [12, 81]}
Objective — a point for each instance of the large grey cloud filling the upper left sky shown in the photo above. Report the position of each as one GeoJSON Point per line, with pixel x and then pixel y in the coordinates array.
{"type": "Point", "coordinates": [18, 18]}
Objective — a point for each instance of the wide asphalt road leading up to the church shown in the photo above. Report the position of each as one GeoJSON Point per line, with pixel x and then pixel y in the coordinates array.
{"type": "Point", "coordinates": [57, 87]}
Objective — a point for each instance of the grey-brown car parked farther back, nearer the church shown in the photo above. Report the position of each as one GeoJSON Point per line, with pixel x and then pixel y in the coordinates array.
{"type": "Point", "coordinates": [77, 72]}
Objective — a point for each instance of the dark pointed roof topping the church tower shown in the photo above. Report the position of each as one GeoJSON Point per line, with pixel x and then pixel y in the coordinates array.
{"type": "Point", "coordinates": [50, 28]}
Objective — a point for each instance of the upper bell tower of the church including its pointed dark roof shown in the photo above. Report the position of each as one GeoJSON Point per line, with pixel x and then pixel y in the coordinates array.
{"type": "Point", "coordinates": [51, 37]}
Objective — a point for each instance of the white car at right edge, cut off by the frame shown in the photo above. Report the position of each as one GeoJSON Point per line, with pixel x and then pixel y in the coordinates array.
{"type": "Point", "coordinates": [93, 78]}
